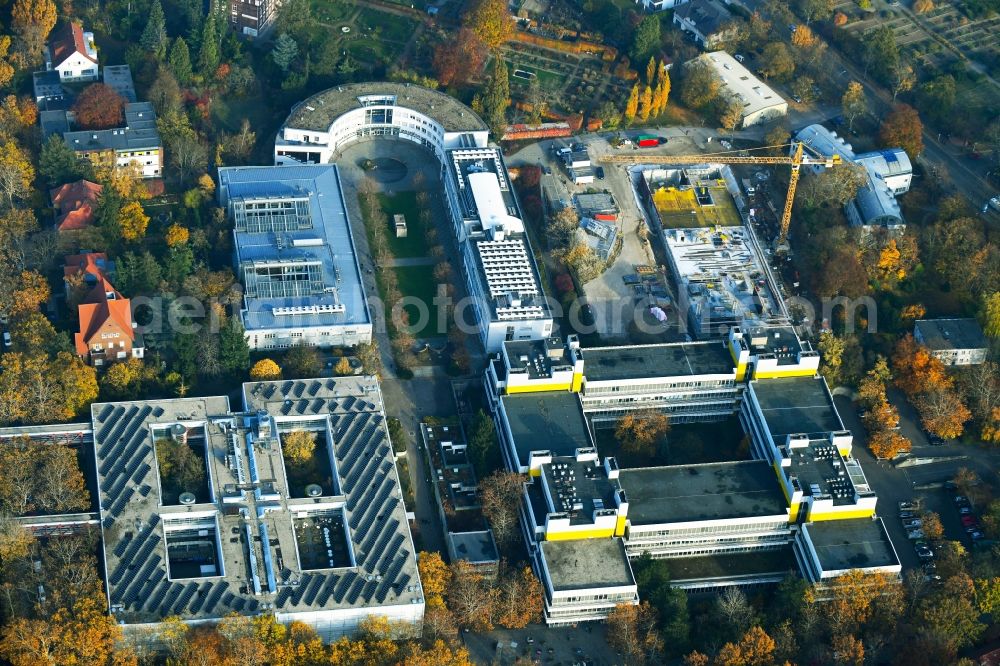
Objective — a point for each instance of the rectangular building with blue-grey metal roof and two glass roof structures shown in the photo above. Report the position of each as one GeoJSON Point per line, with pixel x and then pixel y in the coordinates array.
{"type": "Point", "coordinates": [295, 256]}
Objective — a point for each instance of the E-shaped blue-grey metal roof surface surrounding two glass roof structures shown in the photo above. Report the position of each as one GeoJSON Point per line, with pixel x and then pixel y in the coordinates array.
{"type": "Point", "coordinates": [329, 222]}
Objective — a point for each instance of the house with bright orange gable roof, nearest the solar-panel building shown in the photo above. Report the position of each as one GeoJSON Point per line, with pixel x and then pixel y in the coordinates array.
{"type": "Point", "coordinates": [107, 332]}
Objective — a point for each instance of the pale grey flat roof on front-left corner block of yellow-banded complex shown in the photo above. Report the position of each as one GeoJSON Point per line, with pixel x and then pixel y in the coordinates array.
{"type": "Point", "coordinates": [587, 563]}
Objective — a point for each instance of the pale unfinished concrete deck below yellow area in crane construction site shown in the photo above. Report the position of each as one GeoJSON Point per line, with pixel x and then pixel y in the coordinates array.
{"type": "Point", "coordinates": [723, 274]}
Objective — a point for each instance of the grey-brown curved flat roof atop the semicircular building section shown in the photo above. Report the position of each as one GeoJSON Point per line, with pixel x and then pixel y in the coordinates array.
{"type": "Point", "coordinates": [318, 112]}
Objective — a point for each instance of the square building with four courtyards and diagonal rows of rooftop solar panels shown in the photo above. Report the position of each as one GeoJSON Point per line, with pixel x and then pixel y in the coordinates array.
{"type": "Point", "coordinates": [246, 535]}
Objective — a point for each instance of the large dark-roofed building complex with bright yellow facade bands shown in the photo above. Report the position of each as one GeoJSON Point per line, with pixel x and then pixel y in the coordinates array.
{"type": "Point", "coordinates": [800, 502]}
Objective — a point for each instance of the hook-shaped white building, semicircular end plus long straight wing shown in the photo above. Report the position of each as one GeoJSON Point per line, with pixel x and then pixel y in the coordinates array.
{"type": "Point", "coordinates": [498, 264]}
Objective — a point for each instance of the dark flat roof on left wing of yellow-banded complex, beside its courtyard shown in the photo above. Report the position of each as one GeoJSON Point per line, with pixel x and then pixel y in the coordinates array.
{"type": "Point", "coordinates": [546, 422]}
